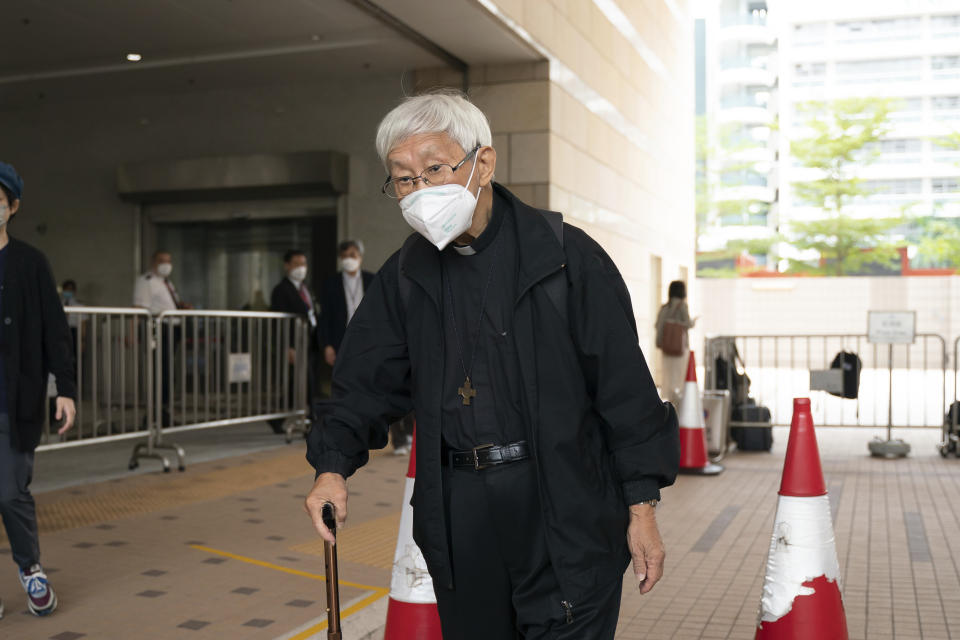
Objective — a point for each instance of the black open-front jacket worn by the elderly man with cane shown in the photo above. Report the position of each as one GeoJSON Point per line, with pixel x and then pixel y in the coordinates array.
{"type": "Point", "coordinates": [602, 438]}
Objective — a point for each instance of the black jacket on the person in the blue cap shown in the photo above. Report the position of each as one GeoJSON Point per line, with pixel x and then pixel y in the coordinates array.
{"type": "Point", "coordinates": [35, 342]}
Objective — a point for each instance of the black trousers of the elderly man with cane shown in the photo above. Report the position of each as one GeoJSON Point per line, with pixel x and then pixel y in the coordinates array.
{"type": "Point", "coordinates": [504, 584]}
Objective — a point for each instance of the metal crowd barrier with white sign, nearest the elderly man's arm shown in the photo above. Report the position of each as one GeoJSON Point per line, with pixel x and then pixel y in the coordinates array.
{"type": "Point", "coordinates": [221, 368]}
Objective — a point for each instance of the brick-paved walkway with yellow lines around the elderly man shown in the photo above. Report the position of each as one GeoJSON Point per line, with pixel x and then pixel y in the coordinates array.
{"type": "Point", "coordinates": [224, 550]}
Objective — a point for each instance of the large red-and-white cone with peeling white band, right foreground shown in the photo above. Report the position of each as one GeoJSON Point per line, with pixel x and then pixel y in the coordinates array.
{"type": "Point", "coordinates": [801, 589]}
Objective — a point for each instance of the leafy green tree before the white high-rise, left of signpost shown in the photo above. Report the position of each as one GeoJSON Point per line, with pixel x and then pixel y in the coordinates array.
{"type": "Point", "coordinates": [839, 143]}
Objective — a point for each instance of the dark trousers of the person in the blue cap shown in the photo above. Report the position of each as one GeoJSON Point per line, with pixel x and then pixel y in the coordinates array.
{"type": "Point", "coordinates": [16, 504]}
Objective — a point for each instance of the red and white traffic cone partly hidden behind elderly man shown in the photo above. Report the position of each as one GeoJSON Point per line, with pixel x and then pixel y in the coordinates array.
{"type": "Point", "coordinates": [412, 610]}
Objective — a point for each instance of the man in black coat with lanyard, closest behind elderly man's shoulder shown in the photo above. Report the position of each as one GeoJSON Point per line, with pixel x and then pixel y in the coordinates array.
{"type": "Point", "coordinates": [340, 297]}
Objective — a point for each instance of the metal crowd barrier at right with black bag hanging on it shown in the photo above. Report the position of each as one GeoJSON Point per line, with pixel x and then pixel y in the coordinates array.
{"type": "Point", "coordinates": [902, 385]}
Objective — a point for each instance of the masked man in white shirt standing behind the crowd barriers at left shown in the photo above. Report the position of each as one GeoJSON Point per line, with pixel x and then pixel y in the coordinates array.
{"type": "Point", "coordinates": [155, 291]}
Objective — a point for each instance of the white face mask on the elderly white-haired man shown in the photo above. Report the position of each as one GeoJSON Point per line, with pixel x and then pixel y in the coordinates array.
{"type": "Point", "coordinates": [441, 213]}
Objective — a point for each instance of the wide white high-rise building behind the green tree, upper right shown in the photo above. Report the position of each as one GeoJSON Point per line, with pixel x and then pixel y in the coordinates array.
{"type": "Point", "coordinates": [906, 51]}
